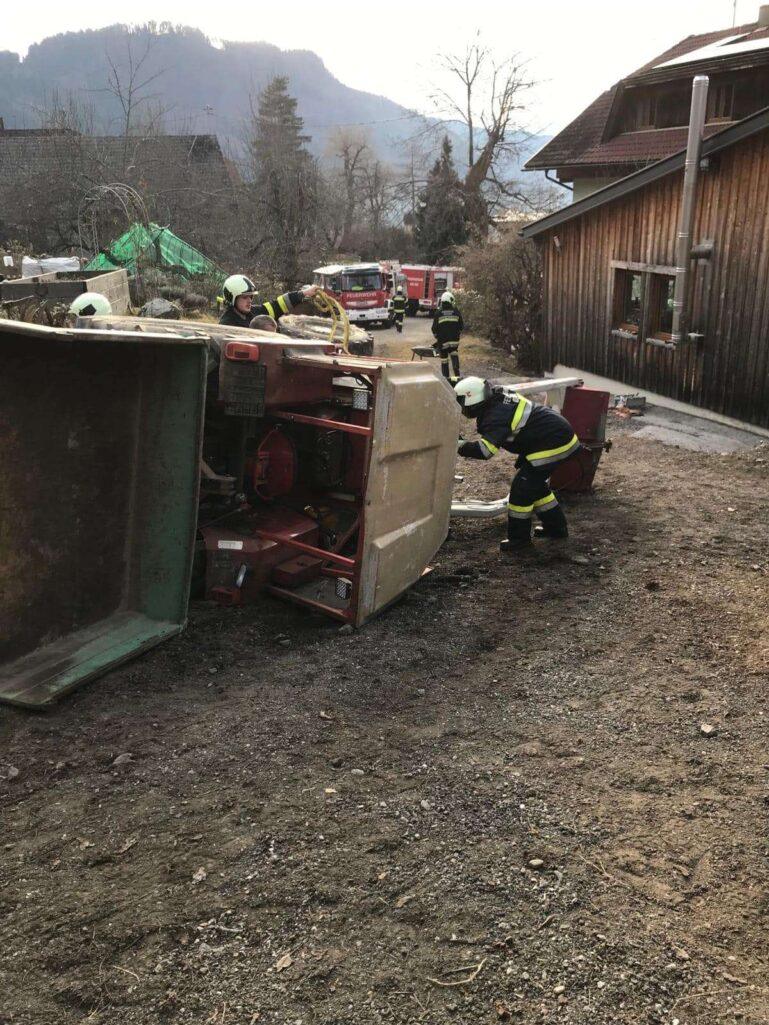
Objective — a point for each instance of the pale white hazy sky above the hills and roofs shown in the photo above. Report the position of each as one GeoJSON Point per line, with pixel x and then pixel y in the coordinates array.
{"type": "Point", "coordinates": [576, 50]}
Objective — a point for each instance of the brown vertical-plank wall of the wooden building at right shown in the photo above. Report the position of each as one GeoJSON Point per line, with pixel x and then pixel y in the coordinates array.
{"type": "Point", "coordinates": [589, 257]}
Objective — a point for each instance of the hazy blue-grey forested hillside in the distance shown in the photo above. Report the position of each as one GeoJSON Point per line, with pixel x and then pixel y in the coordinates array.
{"type": "Point", "coordinates": [205, 88]}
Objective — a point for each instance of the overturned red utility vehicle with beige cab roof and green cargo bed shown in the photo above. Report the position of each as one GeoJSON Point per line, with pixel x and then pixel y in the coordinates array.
{"type": "Point", "coordinates": [136, 456]}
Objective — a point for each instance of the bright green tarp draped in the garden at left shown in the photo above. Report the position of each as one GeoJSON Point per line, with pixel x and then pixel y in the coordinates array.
{"type": "Point", "coordinates": [152, 247]}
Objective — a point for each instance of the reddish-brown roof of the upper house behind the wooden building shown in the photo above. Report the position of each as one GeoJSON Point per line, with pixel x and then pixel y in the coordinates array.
{"type": "Point", "coordinates": [582, 143]}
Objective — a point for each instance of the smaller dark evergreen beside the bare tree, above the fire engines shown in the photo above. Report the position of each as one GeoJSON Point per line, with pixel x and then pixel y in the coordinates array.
{"type": "Point", "coordinates": [440, 219]}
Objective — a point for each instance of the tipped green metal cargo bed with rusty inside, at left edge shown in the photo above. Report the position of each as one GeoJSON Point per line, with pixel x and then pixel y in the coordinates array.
{"type": "Point", "coordinates": [101, 436]}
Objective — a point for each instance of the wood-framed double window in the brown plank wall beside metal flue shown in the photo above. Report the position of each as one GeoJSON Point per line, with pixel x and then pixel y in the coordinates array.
{"type": "Point", "coordinates": [642, 302]}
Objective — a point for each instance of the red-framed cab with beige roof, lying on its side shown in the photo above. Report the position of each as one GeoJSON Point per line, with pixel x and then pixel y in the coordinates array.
{"type": "Point", "coordinates": [327, 478]}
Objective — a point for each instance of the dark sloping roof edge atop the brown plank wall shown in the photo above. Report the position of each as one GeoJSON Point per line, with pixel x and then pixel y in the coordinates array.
{"type": "Point", "coordinates": [721, 141]}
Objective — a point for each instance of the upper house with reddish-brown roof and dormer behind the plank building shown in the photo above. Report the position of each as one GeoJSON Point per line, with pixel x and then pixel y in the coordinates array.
{"type": "Point", "coordinates": [643, 118]}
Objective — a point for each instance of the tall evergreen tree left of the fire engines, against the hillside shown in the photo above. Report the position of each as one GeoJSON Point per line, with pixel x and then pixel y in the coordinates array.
{"type": "Point", "coordinates": [285, 184]}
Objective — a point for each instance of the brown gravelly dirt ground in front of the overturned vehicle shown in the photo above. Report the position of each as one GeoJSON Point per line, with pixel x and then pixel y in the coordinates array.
{"type": "Point", "coordinates": [496, 803]}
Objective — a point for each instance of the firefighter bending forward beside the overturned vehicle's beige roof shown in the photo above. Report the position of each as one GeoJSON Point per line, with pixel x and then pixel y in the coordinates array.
{"type": "Point", "coordinates": [539, 436]}
